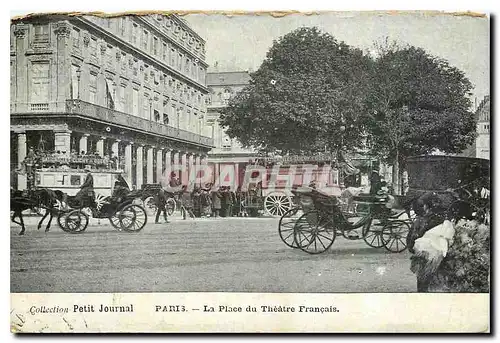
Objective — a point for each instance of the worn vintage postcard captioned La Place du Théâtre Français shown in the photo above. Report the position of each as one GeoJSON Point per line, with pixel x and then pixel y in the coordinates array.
{"type": "Point", "coordinates": [250, 172]}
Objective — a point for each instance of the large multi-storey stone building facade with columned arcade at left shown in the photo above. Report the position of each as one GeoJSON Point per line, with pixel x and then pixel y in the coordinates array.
{"type": "Point", "coordinates": [131, 86]}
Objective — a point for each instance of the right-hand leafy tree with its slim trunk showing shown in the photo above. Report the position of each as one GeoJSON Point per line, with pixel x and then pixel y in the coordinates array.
{"type": "Point", "coordinates": [416, 104]}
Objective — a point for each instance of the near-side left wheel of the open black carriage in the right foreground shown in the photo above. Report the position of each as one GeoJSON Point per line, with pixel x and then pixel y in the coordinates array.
{"type": "Point", "coordinates": [314, 232]}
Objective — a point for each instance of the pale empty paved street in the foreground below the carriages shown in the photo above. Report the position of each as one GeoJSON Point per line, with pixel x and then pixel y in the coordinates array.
{"type": "Point", "coordinates": [232, 254]}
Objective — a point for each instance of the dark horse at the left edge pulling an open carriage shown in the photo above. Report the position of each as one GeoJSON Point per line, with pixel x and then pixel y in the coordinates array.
{"type": "Point", "coordinates": [41, 198]}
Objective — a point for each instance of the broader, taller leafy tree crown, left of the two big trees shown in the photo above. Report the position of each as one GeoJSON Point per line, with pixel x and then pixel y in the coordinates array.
{"type": "Point", "coordinates": [309, 88]}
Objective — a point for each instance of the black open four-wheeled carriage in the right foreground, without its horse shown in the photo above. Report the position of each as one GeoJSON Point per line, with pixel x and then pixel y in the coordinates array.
{"type": "Point", "coordinates": [314, 224]}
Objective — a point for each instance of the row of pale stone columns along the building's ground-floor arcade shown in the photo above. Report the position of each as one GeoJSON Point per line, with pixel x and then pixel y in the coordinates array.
{"type": "Point", "coordinates": [170, 156]}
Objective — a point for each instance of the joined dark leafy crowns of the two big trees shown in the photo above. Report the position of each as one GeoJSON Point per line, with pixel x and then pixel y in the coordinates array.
{"type": "Point", "coordinates": [311, 87]}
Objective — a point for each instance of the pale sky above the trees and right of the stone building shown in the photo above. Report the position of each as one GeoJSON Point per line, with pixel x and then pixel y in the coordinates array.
{"type": "Point", "coordinates": [240, 42]}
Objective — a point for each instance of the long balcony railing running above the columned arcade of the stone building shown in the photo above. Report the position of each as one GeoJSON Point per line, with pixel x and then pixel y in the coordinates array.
{"type": "Point", "coordinates": [134, 122]}
